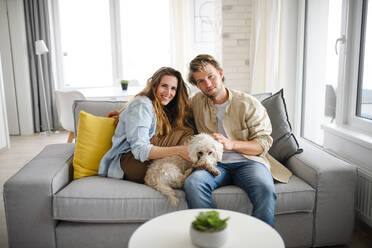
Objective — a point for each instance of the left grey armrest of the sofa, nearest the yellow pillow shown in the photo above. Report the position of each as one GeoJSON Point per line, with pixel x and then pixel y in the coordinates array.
{"type": "Point", "coordinates": [28, 197]}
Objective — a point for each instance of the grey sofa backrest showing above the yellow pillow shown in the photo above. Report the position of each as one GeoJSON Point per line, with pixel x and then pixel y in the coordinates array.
{"type": "Point", "coordinates": [97, 108]}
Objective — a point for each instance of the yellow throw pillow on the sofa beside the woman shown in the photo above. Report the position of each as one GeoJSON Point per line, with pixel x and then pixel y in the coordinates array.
{"type": "Point", "coordinates": [92, 142]}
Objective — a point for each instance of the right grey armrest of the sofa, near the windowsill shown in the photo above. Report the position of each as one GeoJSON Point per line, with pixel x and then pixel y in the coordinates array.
{"type": "Point", "coordinates": [334, 181]}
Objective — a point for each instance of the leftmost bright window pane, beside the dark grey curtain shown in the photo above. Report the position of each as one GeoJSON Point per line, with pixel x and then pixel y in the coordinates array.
{"type": "Point", "coordinates": [85, 43]}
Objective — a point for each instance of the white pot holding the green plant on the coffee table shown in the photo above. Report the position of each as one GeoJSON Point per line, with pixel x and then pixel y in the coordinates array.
{"type": "Point", "coordinates": [208, 239]}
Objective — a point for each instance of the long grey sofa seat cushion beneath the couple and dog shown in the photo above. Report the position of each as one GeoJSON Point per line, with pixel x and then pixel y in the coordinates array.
{"type": "Point", "coordinates": [102, 200]}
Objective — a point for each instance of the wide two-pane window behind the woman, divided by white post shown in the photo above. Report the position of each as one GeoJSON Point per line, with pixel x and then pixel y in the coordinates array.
{"type": "Point", "coordinates": [100, 42]}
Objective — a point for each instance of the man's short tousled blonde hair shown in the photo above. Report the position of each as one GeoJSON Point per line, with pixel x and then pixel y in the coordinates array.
{"type": "Point", "coordinates": [199, 63]}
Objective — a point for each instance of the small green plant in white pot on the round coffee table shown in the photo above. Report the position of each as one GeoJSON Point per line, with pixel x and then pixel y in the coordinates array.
{"type": "Point", "coordinates": [209, 230]}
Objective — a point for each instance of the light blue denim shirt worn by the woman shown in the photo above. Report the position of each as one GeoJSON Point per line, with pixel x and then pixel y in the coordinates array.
{"type": "Point", "coordinates": [136, 126]}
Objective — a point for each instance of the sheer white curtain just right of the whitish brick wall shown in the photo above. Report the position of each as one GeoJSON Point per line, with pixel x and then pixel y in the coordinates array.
{"type": "Point", "coordinates": [265, 46]}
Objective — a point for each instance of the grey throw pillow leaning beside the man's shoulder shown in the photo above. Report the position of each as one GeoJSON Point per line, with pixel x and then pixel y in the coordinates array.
{"type": "Point", "coordinates": [285, 144]}
